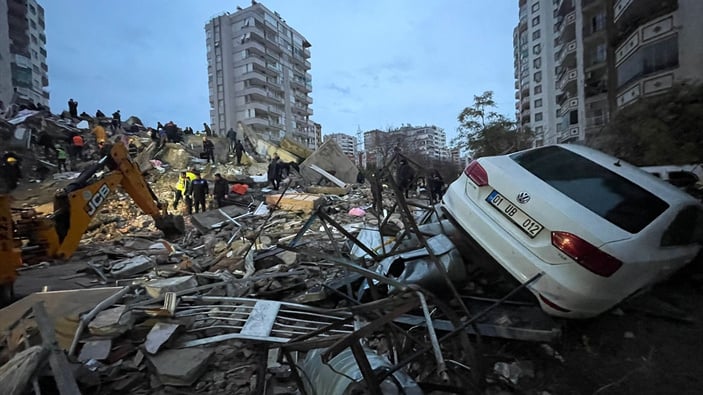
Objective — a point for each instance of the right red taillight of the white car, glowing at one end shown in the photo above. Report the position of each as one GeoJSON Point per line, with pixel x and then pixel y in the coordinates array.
{"type": "Point", "coordinates": [585, 254]}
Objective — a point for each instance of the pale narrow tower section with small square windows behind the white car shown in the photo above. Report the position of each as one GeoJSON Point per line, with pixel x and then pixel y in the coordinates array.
{"type": "Point", "coordinates": [535, 91]}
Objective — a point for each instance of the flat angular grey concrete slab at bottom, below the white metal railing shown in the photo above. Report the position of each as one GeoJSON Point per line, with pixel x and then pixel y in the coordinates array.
{"type": "Point", "coordinates": [180, 367]}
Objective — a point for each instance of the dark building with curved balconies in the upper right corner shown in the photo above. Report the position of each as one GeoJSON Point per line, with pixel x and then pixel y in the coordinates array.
{"type": "Point", "coordinates": [657, 43]}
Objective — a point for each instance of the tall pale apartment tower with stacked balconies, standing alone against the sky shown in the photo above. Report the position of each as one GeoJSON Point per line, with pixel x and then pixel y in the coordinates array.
{"type": "Point", "coordinates": [258, 74]}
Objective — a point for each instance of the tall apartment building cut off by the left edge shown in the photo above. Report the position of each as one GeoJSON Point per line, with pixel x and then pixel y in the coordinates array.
{"type": "Point", "coordinates": [27, 51]}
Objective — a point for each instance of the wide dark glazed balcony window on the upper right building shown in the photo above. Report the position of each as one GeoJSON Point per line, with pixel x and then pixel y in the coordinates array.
{"type": "Point", "coordinates": [650, 59]}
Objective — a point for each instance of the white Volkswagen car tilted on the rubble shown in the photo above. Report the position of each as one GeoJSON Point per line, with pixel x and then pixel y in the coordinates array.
{"type": "Point", "coordinates": [599, 229]}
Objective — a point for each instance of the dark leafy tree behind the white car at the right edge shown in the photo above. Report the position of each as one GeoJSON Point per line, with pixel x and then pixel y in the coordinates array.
{"type": "Point", "coordinates": [657, 130]}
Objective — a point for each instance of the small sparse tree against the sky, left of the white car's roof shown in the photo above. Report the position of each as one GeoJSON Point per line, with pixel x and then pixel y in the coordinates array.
{"type": "Point", "coordinates": [485, 132]}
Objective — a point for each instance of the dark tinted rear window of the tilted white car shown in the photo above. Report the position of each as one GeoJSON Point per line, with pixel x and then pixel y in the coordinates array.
{"type": "Point", "coordinates": [617, 199]}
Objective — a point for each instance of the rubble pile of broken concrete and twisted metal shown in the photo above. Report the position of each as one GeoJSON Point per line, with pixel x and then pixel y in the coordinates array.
{"type": "Point", "coordinates": [322, 287]}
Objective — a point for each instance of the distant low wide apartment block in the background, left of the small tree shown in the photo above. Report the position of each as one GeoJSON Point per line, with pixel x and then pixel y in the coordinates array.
{"type": "Point", "coordinates": [426, 141]}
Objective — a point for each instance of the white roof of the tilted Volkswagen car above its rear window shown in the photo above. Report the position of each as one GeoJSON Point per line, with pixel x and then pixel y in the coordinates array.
{"type": "Point", "coordinates": [649, 182]}
